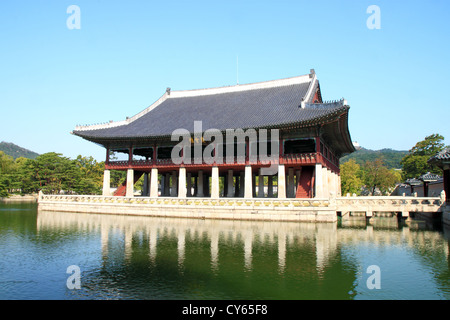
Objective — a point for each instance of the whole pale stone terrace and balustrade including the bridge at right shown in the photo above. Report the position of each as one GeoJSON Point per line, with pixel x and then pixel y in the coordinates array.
{"type": "Point", "coordinates": [290, 209]}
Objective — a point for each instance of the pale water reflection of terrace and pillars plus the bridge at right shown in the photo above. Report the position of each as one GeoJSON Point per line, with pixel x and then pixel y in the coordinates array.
{"type": "Point", "coordinates": [322, 239]}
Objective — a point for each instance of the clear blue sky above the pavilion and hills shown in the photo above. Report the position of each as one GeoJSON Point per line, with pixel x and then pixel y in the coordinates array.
{"type": "Point", "coordinates": [396, 78]}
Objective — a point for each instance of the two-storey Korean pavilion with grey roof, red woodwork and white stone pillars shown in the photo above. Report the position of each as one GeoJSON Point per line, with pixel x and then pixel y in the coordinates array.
{"type": "Point", "coordinates": [312, 136]}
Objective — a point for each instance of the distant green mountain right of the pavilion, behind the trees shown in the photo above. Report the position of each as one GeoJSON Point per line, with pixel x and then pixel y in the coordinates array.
{"type": "Point", "coordinates": [390, 157]}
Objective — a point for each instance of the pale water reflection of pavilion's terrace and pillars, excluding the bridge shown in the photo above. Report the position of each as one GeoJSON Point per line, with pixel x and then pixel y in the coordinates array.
{"type": "Point", "coordinates": [280, 234]}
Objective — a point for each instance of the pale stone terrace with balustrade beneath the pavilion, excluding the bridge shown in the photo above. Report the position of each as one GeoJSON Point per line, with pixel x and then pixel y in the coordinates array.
{"type": "Point", "coordinates": [273, 209]}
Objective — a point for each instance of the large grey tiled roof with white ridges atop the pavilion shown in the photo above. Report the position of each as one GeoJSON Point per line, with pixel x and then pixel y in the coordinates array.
{"type": "Point", "coordinates": [261, 105]}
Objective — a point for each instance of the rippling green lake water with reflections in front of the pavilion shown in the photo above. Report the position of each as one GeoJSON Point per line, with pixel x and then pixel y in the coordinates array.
{"type": "Point", "coordinates": [66, 256]}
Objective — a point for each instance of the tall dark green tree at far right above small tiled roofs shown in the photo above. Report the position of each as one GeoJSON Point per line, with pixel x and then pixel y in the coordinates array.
{"type": "Point", "coordinates": [415, 163]}
